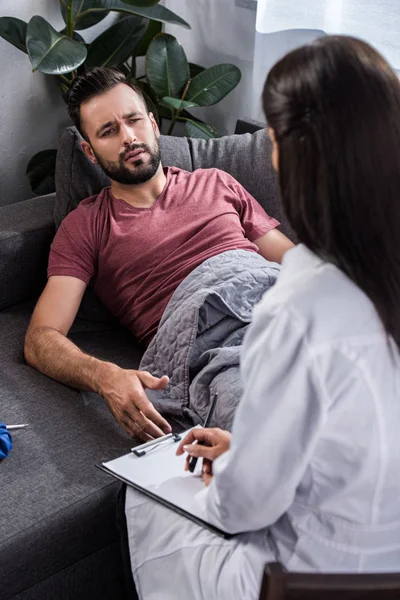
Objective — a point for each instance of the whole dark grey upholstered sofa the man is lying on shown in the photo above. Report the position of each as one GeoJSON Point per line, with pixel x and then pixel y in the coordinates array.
{"type": "Point", "coordinates": [58, 535]}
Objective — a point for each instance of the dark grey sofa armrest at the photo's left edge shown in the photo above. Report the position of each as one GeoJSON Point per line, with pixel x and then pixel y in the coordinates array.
{"type": "Point", "coordinates": [26, 232]}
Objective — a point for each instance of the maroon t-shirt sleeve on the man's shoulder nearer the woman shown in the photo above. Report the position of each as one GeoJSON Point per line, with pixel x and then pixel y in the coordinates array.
{"type": "Point", "coordinates": [253, 217]}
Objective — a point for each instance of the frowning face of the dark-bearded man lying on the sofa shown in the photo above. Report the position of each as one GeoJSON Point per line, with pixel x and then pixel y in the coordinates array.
{"type": "Point", "coordinates": [123, 136]}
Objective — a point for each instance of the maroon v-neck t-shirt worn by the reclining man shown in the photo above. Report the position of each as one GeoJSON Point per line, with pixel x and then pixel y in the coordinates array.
{"type": "Point", "coordinates": [137, 257]}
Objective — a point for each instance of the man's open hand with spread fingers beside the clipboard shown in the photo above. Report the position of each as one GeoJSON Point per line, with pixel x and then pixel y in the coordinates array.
{"type": "Point", "coordinates": [124, 393]}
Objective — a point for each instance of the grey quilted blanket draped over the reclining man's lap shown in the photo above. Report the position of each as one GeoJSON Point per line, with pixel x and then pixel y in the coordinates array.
{"type": "Point", "coordinates": [200, 334]}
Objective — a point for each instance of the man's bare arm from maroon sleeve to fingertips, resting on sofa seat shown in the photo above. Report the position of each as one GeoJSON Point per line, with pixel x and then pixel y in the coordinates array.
{"type": "Point", "coordinates": [49, 350]}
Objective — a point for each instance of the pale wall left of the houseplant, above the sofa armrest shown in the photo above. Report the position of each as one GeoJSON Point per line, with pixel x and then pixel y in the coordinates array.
{"type": "Point", "coordinates": [32, 113]}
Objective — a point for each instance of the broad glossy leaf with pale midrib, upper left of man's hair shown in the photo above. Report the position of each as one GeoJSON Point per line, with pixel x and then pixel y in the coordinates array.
{"type": "Point", "coordinates": [51, 52]}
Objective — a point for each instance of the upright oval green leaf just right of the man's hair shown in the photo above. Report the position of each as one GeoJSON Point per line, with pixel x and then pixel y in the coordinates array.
{"type": "Point", "coordinates": [167, 68]}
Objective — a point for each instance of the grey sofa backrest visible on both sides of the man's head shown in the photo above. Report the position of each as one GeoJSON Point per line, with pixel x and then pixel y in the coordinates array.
{"type": "Point", "coordinates": [247, 157]}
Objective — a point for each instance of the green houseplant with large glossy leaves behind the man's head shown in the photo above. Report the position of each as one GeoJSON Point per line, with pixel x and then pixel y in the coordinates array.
{"type": "Point", "coordinates": [173, 87]}
